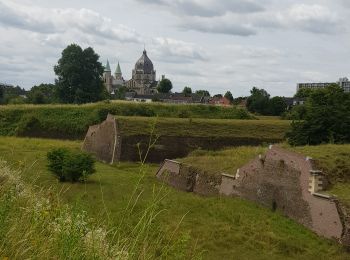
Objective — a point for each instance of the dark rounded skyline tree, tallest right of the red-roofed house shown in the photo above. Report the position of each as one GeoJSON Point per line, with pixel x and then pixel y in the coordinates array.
{"type": "Point", "coordinates": [258, 101]}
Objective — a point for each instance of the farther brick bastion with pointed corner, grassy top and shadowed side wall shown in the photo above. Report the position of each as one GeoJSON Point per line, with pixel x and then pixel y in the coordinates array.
{"type": "Point", "coordinates": [121, 138]}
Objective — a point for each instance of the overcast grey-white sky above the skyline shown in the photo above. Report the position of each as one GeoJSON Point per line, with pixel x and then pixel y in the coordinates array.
{"type": "Point", "coordinates": [217, 45]}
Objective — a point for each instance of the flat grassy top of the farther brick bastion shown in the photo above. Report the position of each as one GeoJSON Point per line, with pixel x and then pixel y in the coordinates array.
{"type": "Point", "coordinates": [264, 129]}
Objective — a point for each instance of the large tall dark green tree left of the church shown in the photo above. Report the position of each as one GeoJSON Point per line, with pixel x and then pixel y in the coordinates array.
{"type": "Point", "coordinates": [79, 75]}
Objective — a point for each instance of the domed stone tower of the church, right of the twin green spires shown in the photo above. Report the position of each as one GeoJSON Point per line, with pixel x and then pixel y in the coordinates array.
{"type": "Point", "coordinates": [143, 76]}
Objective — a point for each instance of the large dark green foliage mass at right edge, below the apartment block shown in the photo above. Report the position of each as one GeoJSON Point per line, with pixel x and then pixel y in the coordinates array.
{"type": "Point", "coordinates": [327, 118]}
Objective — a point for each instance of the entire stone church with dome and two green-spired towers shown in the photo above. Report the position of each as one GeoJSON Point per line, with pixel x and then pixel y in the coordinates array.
{"type": "Point", "coordinates": [143, 80]}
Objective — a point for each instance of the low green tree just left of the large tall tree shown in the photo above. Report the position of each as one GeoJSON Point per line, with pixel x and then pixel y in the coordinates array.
{"type": "Point", "coordinates": [43, 94]}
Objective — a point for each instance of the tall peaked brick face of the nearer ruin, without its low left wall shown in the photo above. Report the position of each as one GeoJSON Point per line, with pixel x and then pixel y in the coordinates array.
{"type": "Point", "coordinates": [280, 180]}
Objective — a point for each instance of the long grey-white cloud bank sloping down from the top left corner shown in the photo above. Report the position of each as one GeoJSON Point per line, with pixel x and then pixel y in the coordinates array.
{"type": "Point", "coordinates": [54, 21]}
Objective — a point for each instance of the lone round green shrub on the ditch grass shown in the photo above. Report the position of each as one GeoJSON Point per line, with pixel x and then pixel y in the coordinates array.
{"type": "Point", "coordinates": [70, 165]}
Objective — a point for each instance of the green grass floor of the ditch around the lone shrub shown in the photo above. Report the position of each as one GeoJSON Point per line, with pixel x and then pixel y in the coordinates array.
{"type": "Point", "coordinates": [219, 228]}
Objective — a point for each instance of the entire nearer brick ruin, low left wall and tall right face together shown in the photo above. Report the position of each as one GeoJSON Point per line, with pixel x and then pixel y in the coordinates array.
{"type": "Point", "coordinates": [281, 180]}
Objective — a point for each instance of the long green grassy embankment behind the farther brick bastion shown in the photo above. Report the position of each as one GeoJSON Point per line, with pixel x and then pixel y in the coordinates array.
{"type": "Point", "coordinates": [72, 121]}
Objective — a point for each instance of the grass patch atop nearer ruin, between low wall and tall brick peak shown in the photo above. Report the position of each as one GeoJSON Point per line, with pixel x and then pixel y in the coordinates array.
{"type": "Point", "coordinates": [224, 161]}
